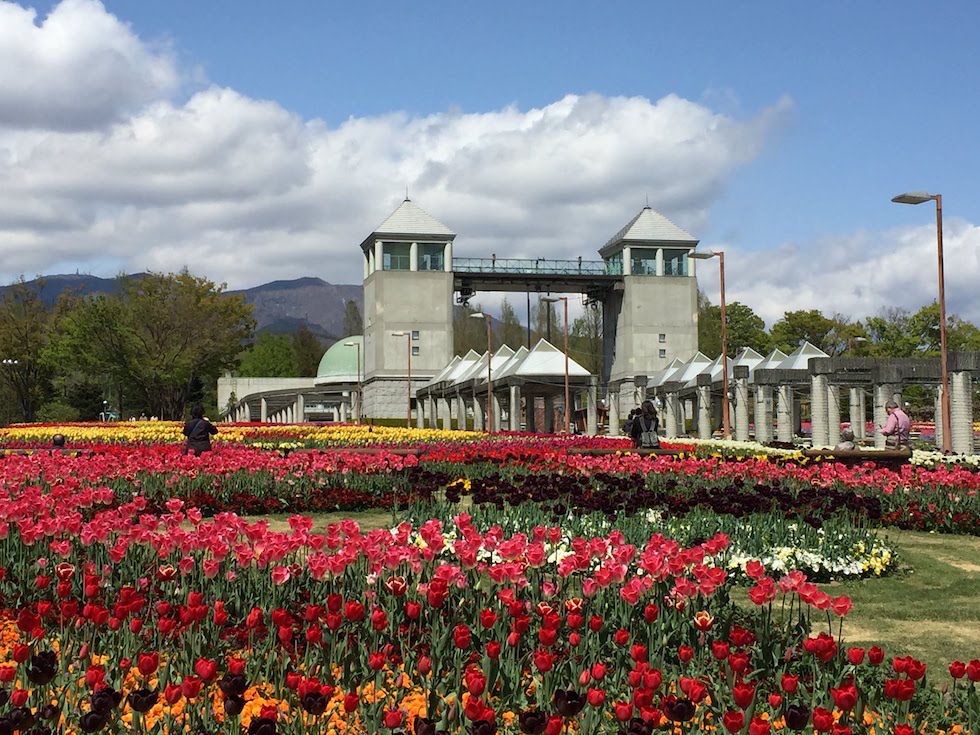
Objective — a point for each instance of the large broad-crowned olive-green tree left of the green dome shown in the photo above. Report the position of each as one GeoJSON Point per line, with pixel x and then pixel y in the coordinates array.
{"type": "Point", "coordinates": [163, 337]}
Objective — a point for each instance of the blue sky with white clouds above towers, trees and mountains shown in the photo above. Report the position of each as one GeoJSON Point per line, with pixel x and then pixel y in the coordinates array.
{"type": "Point", "coordinates": [255, 141]}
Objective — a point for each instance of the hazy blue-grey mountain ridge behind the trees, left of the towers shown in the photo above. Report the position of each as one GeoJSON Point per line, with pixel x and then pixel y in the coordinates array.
{"type": "Point", "coordinates": [279, 306]}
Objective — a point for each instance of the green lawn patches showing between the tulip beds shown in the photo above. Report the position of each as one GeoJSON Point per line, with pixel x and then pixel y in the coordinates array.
{"type": "Point", "coordinates": [929, 609]}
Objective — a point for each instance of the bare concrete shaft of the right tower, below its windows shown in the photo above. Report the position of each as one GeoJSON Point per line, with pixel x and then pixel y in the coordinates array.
{"type": "Point", "coordinates": [650, 306]}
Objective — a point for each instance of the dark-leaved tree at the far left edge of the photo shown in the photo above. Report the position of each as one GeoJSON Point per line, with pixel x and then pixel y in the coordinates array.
{"type": "Point", "coordinates": [25, 331]}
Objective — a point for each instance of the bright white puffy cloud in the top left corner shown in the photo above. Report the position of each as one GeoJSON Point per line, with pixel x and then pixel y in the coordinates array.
{"type": "Point", "coordinates": [80, 68]}
